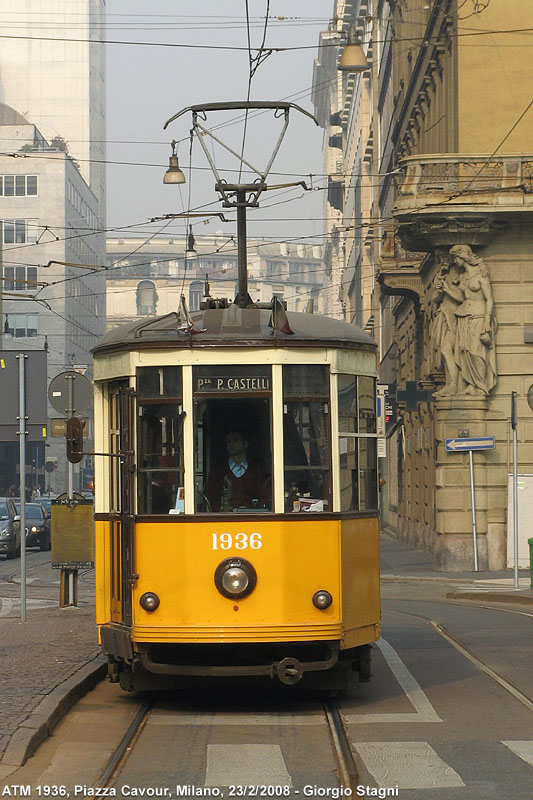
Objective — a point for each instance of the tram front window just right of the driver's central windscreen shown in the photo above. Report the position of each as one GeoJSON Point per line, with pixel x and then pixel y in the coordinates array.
{"type": "Point", "coordinates": [306, 438]}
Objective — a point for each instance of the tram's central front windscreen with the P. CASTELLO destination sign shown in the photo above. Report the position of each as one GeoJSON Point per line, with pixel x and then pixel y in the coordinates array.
{"type": "Point", "coordinates": [235, 397]}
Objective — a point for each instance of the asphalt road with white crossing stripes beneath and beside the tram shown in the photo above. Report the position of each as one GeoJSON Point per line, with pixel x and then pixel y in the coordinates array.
{"type": "Point", "coordinates": [431, 725]}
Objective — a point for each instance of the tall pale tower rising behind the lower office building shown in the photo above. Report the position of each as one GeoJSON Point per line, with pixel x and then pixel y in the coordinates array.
{"type": "Point", "coordinates": [52, 70]}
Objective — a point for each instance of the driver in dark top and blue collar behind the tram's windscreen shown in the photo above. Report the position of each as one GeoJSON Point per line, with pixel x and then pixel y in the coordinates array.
{"type": "Point", "coordinates": [236, 482]}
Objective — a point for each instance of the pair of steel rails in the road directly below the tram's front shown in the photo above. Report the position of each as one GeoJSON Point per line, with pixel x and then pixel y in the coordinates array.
{"type": "Point", "coordinates": [345, 760]}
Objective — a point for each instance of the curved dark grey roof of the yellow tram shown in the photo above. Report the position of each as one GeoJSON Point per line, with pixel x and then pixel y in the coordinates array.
{"type": "Point", "coordinates": [234, 326]}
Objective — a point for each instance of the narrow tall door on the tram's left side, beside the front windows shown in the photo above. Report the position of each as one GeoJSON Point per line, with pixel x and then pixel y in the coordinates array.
{"type": "Point", "coordinates": [121, 471]}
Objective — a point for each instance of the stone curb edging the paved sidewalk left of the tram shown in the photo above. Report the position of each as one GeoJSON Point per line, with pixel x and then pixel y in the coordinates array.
{"type": "Point", "coordinates": [52, 708]}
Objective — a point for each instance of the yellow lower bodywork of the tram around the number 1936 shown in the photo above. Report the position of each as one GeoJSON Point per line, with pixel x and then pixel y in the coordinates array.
{"type": "Point", "coordinates": [177, 561]}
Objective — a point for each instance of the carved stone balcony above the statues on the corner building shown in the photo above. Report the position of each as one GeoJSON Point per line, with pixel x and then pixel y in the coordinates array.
{"type": "Point", "coordinates": [450, 199]}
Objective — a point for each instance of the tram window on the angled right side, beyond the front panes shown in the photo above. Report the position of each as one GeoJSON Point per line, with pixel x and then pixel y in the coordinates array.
{"type": "Point", "coordinates": [357, 450]}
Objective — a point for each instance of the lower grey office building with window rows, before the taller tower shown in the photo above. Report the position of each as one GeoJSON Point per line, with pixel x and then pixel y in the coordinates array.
{"type": "Point", "coordinates": [47, 224]}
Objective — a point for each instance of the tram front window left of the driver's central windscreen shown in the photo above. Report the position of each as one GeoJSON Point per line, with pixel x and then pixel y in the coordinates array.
{"type": "Point", "coordinates": [160, 440]}
